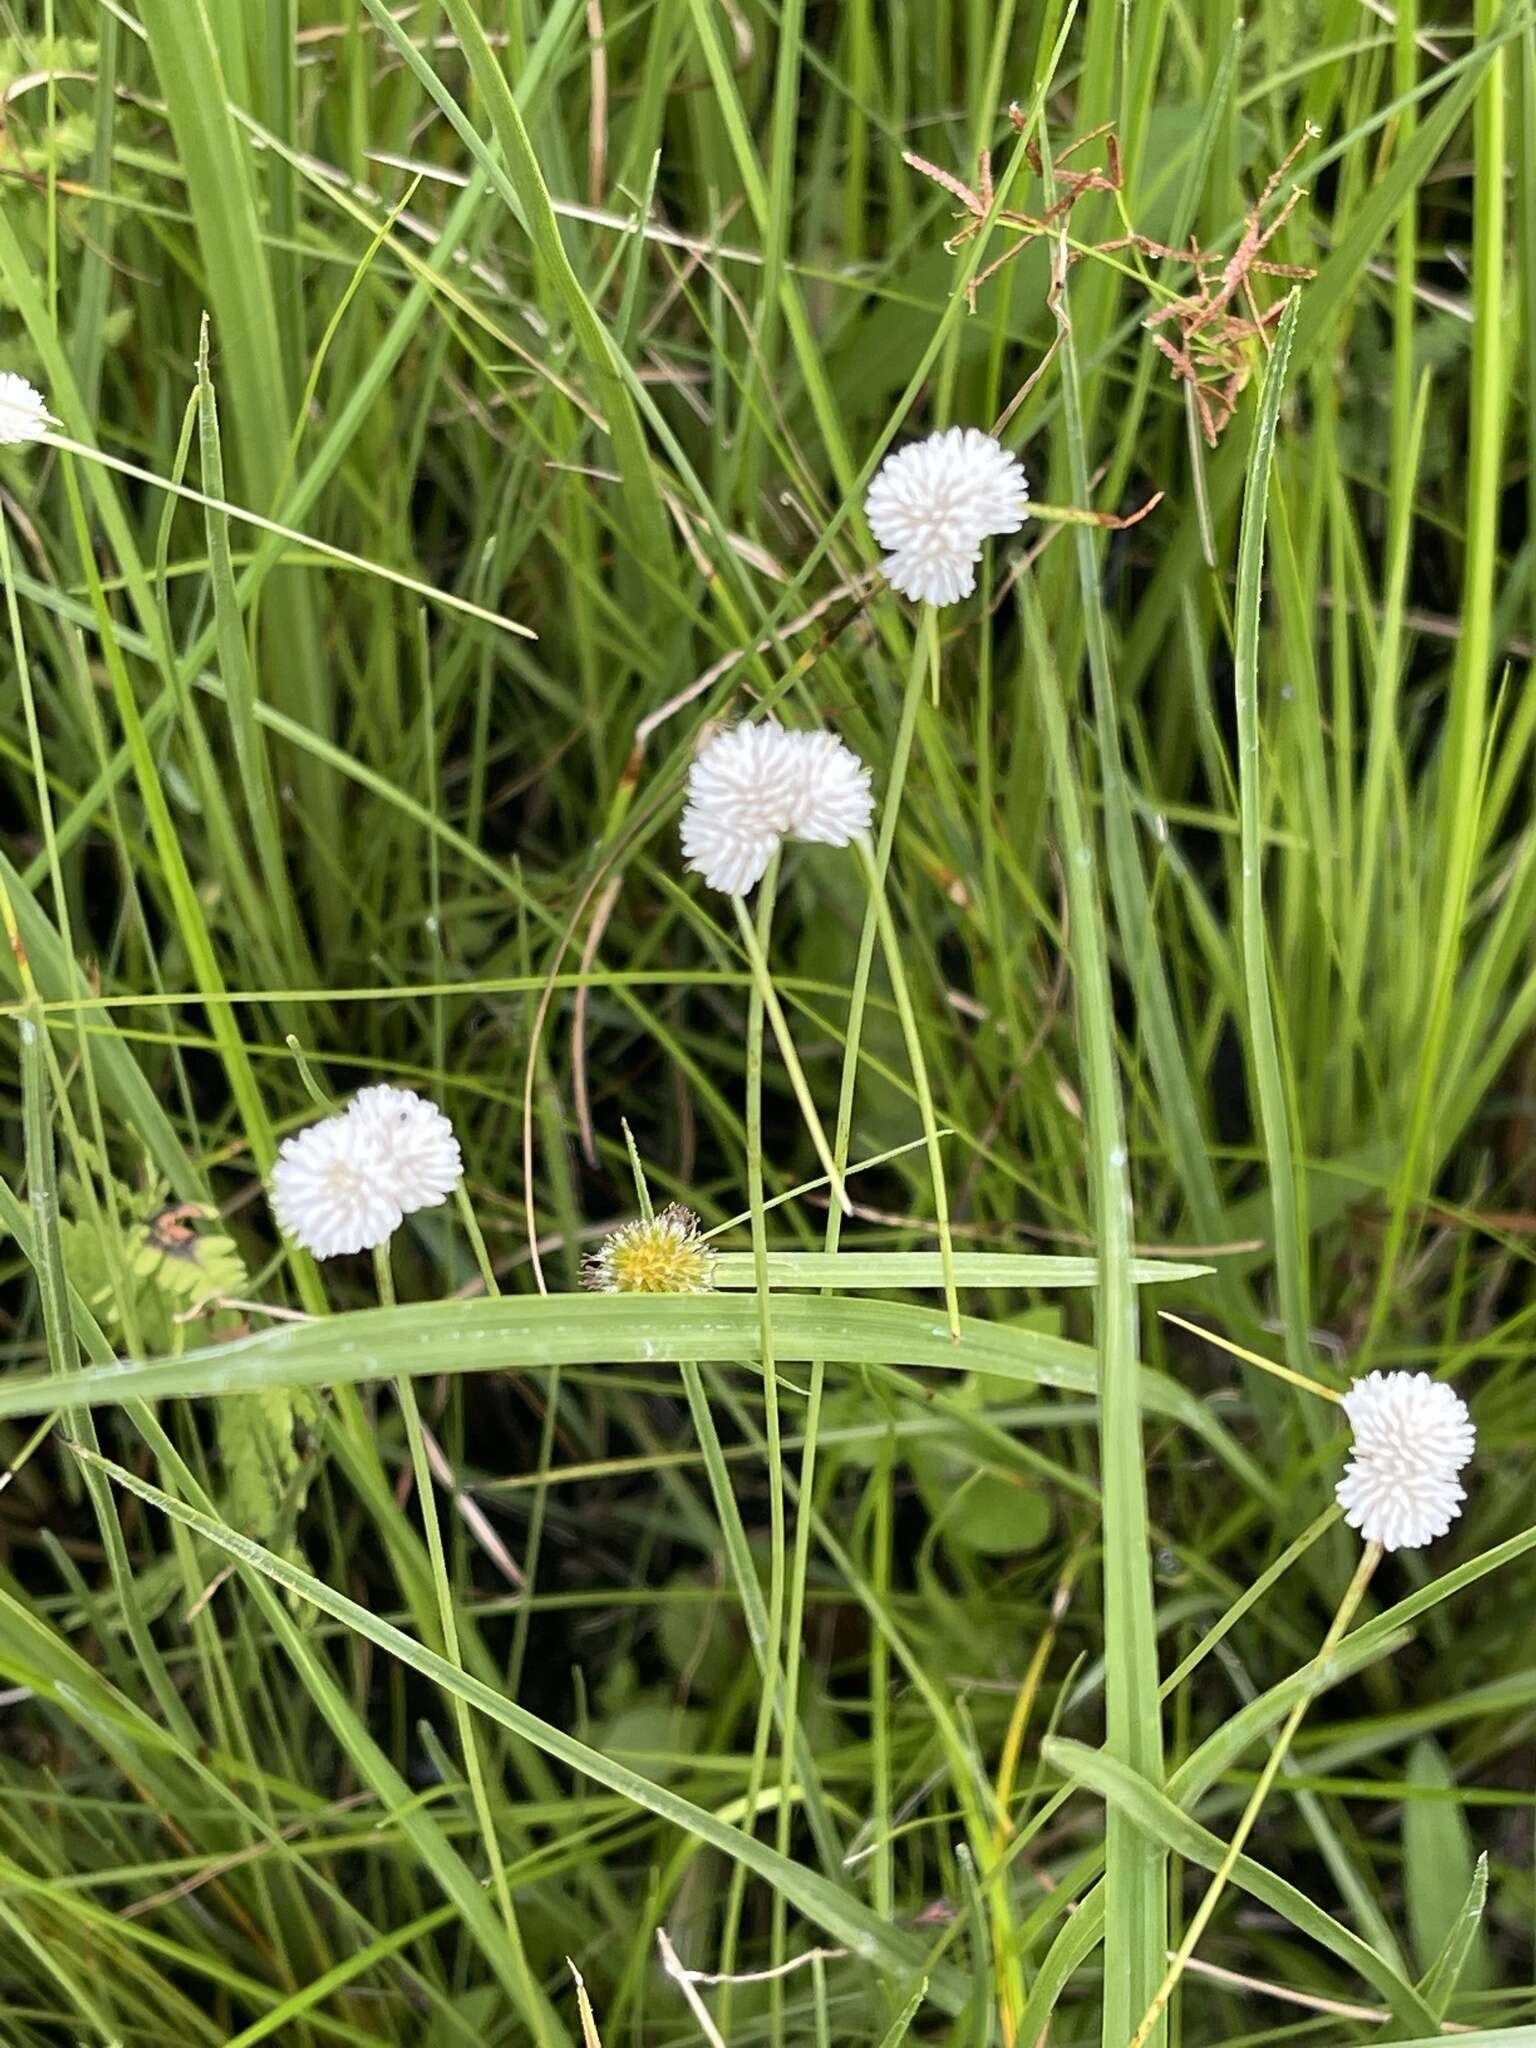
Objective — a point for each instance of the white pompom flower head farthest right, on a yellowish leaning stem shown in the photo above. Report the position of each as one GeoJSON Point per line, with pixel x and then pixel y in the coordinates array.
{"type": "Point", "coordinates": [1412, 1437]}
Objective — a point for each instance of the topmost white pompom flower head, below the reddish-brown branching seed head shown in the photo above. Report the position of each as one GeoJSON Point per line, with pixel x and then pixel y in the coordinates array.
{"type": "Point", "coordinates": [935, 503]}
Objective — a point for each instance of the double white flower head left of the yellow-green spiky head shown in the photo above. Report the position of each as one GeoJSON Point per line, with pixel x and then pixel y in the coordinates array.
{"type": "Point", "coordinates": [347, 1183]}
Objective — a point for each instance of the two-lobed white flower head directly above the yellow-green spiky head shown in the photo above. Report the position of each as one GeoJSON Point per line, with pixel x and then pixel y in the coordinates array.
{"type": "Point", "coordinates": [759, 785]}
